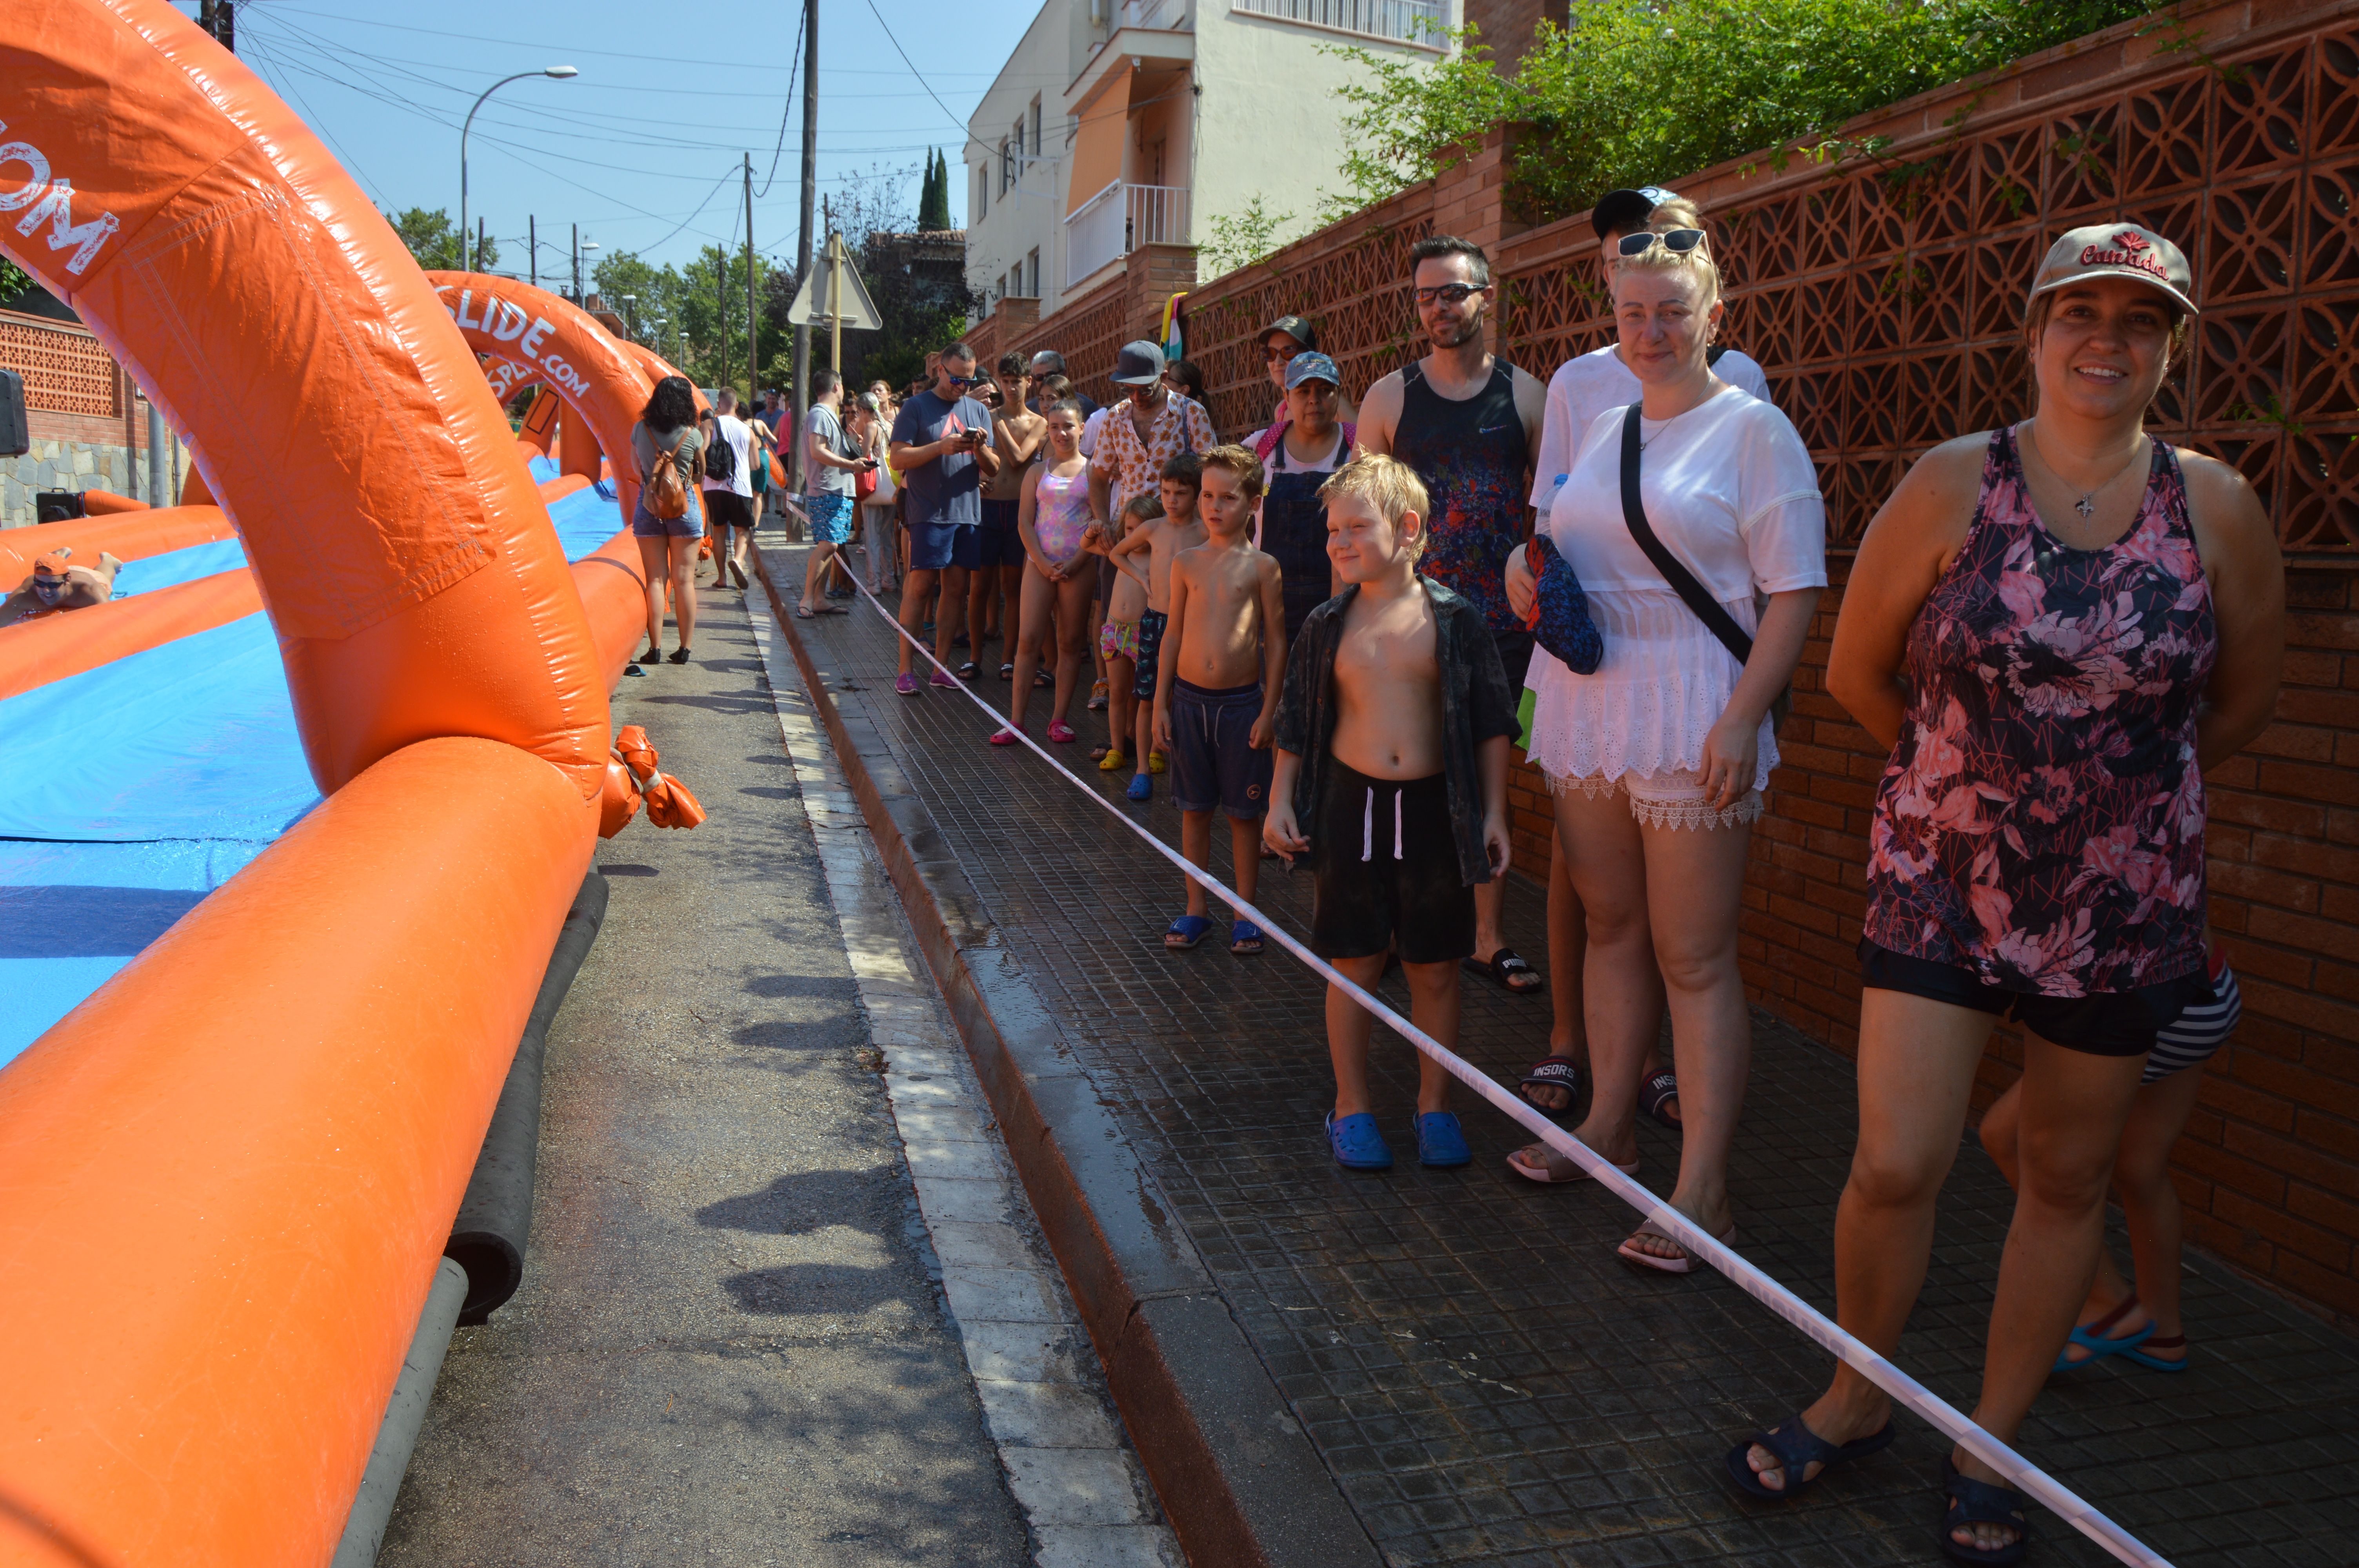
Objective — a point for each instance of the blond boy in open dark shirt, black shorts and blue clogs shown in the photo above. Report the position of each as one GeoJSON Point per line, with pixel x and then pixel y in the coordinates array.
{"type": "Point", "coordinates": [1393, 777]}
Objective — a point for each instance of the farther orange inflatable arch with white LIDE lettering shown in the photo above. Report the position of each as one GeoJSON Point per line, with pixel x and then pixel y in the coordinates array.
{"type": "Point", "coordinates": [567, 350]}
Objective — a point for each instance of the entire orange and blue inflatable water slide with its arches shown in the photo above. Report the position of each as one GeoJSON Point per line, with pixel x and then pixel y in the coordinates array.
{"type": "Point", "coordinates": [296, 822]}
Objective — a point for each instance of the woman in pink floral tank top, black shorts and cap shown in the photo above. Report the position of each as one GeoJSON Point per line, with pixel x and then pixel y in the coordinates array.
{"type": "Point", "coordinates": [2056, 628]}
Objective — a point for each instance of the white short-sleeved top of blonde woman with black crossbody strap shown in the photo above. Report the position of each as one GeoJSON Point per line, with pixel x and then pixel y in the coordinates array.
{"type": "Point", "coordinates": [1730, 492]}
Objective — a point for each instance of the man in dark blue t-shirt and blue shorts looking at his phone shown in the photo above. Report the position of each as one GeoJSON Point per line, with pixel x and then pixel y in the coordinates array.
{"type": "Point", "coordinates": [942, 452]}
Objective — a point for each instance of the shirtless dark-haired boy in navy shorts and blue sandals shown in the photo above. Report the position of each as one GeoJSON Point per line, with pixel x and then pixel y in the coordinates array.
{"type": "Point", "coordinates": [1218, 687]}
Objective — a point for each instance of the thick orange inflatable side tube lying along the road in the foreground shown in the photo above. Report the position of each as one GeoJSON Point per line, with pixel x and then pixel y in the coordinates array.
{"type": "Point", "coordinates": [228, 1175]}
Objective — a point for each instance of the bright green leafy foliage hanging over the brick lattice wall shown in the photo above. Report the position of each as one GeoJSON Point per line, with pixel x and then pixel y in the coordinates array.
{"type": "Point", "coordinates": [1645, 91]}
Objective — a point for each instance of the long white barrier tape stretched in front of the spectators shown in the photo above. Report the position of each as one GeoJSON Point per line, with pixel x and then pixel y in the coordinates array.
{"type": "Point", "coordinates": [1879, 1371]}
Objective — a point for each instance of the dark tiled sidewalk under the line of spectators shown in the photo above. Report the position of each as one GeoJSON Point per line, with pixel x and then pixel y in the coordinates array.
{"type": "Point", "coordinates": [1483, 1381]}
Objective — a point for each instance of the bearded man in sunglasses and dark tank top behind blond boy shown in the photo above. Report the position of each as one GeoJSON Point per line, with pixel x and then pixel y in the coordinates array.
{"type": "Point", "coordinates": [1468, 423]}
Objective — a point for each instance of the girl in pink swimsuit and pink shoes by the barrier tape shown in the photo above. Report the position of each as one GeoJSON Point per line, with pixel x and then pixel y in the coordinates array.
{"type": "Point", "coordinates": [1053, 520]}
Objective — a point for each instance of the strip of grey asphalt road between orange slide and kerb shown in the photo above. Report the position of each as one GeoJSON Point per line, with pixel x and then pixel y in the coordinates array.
{"type": "Point", "coordinates": [728, 1348]}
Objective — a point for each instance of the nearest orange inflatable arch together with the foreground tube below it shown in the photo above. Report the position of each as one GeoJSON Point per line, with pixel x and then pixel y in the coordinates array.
{"type": "Point", "coordinates": [230, 1173]}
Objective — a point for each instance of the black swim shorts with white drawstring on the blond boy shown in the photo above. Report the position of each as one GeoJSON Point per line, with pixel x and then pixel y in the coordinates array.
{"type": "Point", "coordinates": [1386, 867]}
